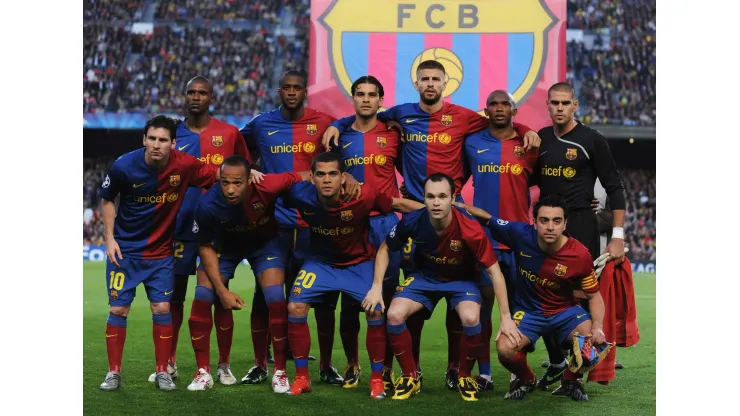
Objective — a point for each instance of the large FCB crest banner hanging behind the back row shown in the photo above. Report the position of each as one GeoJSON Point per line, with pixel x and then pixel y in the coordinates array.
{"type": "Point", "coordinates": [484, 45]}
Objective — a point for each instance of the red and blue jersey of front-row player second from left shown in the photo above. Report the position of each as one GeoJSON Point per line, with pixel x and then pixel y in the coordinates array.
{"type": "Point", "coordinates": [250, 224]}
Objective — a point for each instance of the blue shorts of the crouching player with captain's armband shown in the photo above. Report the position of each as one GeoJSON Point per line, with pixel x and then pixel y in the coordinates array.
{"type": "Point", "coordinates": [535, 324]}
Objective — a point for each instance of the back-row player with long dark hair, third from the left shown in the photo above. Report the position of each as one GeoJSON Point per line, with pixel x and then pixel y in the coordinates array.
{"type": "Point", "coordinates": [369, 150]}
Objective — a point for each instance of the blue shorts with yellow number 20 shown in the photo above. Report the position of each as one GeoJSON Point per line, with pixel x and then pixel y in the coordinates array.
{"type": "Point", "coordinates": [316, 280]}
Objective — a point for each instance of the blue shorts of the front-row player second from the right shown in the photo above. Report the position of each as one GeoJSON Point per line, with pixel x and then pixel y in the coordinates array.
{"type": "Point", "coordinates": [428, 292]}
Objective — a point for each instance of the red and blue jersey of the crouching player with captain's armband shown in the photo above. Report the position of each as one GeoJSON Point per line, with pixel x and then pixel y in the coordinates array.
{"type": "Point", "coordinates": [545, 283]}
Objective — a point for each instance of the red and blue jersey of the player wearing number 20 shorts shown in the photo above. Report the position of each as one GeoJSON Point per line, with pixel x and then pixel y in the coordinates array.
{"type": "Point", "coordinates": [339, 235]}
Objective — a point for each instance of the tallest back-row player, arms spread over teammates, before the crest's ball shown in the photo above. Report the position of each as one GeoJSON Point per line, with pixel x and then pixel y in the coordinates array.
{"type": "Point", "coordinates": [434, 132]}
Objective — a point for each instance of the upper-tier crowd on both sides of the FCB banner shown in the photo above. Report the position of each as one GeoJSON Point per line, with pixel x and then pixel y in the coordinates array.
{"type": "Point", "coordinates": [614, 76]}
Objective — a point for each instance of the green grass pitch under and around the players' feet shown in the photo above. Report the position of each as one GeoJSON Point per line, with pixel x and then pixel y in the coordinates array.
{"type": "Point", "coordinates": [633, 392]}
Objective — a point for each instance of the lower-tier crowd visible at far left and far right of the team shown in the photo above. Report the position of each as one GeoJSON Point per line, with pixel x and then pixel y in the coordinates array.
{"type": "Point", "coordinates": [639, 221]}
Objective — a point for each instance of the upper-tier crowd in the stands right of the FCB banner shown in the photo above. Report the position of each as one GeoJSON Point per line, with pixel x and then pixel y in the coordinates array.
{"type": "Point", "coordinates": [615, 74]}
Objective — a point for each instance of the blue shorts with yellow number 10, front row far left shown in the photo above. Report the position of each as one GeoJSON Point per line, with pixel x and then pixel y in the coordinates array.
{"type": "Point", "coordinates": [158, 277]}
